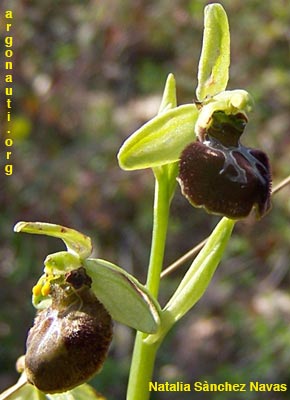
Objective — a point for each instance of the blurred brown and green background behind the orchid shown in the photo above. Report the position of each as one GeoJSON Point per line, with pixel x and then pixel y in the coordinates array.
{"type": "Point", "coordinates": [87, 74]}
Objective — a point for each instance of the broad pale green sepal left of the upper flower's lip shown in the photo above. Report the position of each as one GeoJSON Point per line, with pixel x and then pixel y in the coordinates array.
{"type": "Point", "coordinates": [161, 140]}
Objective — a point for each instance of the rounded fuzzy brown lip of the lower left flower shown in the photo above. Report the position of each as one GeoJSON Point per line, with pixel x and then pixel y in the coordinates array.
{"type": "Point", "coordinates": [68, 342]}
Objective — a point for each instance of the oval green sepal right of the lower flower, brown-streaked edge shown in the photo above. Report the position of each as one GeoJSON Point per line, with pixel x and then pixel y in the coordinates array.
{"type": "Point", "coordinates": [126, 300]}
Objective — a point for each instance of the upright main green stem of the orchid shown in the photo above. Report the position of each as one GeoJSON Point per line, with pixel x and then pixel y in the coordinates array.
{"type": "Point", "coordinates": [144, 354]}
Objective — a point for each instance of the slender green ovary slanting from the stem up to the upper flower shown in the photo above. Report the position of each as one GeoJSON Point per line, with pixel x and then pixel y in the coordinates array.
{"type": "Point", "coordinates": [199, 275]}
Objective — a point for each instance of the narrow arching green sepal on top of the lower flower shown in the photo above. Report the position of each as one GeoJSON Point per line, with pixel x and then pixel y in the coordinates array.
{"type": "Point", "coordinates": [76, 242]}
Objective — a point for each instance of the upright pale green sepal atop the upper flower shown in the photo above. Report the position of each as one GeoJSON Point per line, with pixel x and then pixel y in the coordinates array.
{"type": "Point", "coordinates": [213, 69]}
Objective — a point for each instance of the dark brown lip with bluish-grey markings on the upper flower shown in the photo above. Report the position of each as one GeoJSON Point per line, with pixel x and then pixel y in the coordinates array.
{"type": "Point", "coordinates": [224, 176]}
